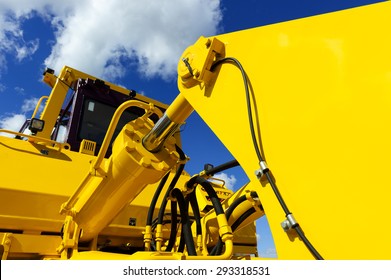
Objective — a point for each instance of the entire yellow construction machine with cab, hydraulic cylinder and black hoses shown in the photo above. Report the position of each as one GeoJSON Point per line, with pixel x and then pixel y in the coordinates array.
{"type": "Point", "coordinates": [303, 106]}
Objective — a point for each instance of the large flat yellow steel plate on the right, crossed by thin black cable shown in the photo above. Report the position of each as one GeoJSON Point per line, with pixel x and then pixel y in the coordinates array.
{"type": "Point", "coordinates": [322, 95]}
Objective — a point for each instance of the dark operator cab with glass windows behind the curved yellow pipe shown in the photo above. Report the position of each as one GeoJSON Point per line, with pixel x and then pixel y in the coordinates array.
{"type": "Point", "coordinates": [88, 113]}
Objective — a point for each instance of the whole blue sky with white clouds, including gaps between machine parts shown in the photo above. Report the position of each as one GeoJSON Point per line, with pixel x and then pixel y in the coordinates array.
{"type": "Point", "coordinates": [135, 44]}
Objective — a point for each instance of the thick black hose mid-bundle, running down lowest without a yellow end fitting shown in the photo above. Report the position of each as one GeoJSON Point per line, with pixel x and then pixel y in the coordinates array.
{"type": "Point", "coordinates": [186, 227]}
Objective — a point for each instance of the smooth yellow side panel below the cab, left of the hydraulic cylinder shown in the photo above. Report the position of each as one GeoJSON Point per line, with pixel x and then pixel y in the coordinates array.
{"type": "Point", "coordinates": [38, 168]}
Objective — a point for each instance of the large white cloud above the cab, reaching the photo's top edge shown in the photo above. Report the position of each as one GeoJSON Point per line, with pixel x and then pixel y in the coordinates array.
{"type": "Point", "coordinates": [99, 37]}
